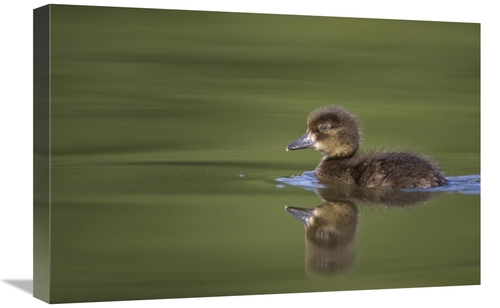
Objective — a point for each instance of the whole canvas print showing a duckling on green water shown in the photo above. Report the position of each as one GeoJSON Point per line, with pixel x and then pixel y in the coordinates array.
{"type": "Point", "coordinates": [196, 154]}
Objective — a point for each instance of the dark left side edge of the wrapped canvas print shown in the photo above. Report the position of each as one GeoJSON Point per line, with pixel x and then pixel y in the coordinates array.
{"type": "Point", "coordinates": [41, 153]}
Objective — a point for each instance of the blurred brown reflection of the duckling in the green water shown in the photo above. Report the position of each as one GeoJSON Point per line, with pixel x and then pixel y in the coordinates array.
{"type": "Point", "coordinates": [331, 226]}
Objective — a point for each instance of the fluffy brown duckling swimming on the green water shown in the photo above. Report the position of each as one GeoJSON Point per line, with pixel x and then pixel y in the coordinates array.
{"type": "Point", "coordinates": [335, 133]}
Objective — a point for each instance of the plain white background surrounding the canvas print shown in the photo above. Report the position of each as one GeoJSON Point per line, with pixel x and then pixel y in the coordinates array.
{"type": "Point", "coordinates": [16, 151]}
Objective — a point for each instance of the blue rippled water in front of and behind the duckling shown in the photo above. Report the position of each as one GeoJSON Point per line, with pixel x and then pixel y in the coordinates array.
{"type": "Point", "coordinates": [465, 184]}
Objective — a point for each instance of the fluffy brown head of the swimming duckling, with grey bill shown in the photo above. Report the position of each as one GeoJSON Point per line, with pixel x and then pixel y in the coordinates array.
{"type": "Point", "coordinates": [332, 131]}
